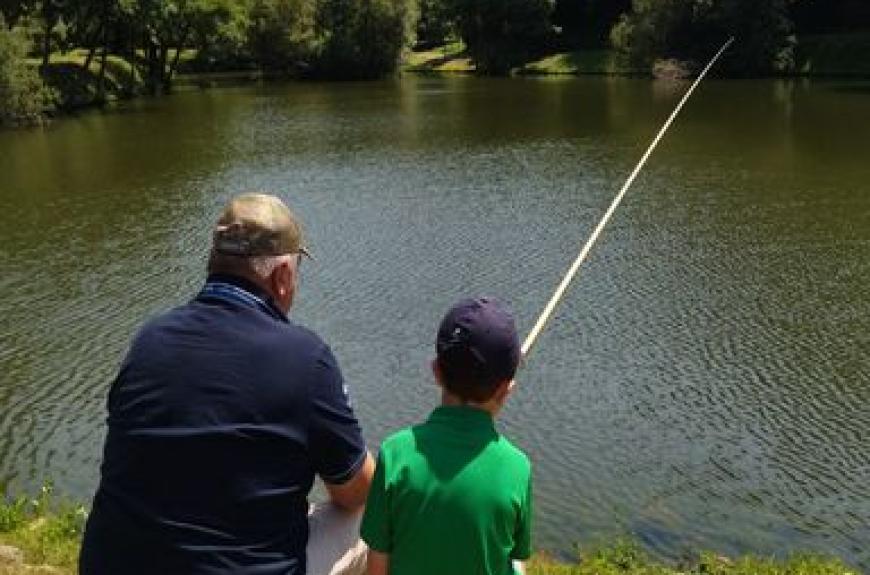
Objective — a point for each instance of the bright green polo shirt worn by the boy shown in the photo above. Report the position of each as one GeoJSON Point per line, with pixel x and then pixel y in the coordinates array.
{"type": "Point", "coordinates": [450, 496]}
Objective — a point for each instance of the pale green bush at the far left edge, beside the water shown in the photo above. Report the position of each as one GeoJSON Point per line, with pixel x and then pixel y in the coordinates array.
{"type": "Point", "coordinates": [23, 97]}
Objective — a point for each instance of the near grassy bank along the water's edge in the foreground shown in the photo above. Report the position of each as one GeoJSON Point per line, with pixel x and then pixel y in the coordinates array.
{"type": "Point", "coordinates": [41, 536]}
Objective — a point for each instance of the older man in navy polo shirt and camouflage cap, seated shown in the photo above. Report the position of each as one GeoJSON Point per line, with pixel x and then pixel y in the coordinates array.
{"type": "Point", "coordinates": [221, 415]}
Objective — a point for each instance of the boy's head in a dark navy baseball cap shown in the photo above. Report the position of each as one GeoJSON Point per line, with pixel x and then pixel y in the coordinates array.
{"type": "Point", "coordinates": [478, 349]}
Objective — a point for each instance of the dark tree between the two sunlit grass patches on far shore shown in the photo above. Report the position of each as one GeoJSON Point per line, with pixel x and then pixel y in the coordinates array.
{"type": "Point", "coordinates": [501, 34]}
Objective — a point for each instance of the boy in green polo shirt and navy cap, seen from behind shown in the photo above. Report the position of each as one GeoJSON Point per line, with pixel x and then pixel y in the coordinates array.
{"type": "Point", "coordinates": [451, 496]}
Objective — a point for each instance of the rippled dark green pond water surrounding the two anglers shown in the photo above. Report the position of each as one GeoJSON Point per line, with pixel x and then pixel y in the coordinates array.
{"type": "Point", "coordinates": [706, 382]}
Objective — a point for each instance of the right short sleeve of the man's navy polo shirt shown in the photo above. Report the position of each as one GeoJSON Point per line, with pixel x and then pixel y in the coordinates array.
{"type": "Point", "coordinates": [335, 439]}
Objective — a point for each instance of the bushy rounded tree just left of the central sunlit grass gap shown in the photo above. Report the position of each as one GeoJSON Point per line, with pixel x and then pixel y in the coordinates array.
{"type": "Point", "coordinates": [360, 39]}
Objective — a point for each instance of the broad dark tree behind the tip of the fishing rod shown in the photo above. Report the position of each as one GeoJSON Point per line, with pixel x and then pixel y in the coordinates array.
{"type": "Point", "coordinates": [691, 30]}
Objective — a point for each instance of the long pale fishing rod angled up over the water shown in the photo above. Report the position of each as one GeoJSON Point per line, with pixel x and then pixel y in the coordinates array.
{"type": "Point", "coordinates": [572, 271]}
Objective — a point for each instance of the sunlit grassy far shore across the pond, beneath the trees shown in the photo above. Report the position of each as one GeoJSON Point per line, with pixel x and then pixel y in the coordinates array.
{"type": "Point", "coordinates": [77, 87]}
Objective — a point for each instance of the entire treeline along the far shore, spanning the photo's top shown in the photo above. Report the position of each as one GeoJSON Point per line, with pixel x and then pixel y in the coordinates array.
{"type": "Point", "coordinates": [355, 39]}
